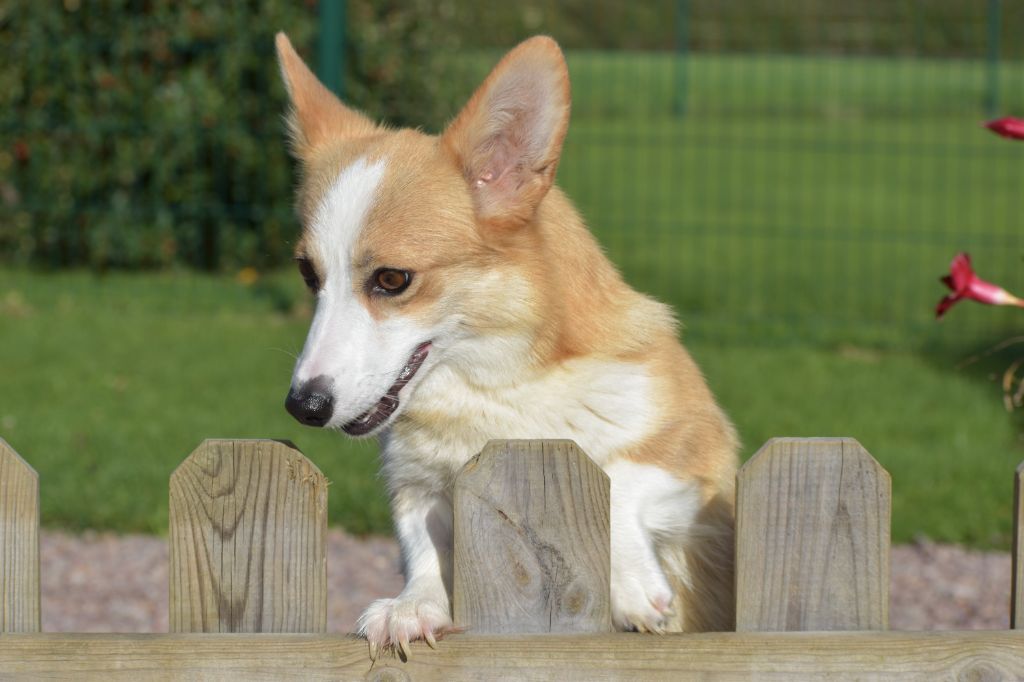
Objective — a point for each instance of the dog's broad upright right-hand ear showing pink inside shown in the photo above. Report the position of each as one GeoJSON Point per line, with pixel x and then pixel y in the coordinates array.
{"type": "Point", "coordinates": [508, 139]}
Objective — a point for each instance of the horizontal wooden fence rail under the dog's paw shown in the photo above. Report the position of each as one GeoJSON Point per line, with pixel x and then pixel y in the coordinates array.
{"type": "Point", "coordinates": [627, 657]}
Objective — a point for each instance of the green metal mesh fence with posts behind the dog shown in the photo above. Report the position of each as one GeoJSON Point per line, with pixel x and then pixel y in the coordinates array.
{"type": "Point", "coordinates": [777, 170]}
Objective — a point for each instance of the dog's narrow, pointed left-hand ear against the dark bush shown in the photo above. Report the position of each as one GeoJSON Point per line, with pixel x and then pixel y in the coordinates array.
{"type": "Point", "coordinates": [317, 115]}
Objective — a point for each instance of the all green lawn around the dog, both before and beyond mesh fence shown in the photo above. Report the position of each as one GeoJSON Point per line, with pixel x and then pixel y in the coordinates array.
{"type": "Point", "coordinates": [797, 214]}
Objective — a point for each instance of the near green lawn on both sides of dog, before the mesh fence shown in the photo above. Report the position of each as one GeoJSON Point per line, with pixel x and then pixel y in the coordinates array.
{"type": "Point", "coordinates": [110, 382]}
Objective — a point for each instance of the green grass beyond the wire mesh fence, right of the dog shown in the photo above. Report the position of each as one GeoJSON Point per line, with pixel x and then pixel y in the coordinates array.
{"type": "Point", "coordinates": [828, 195]}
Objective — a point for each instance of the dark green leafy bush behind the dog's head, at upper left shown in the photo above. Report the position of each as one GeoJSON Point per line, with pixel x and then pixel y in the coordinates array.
{"type": "Point", "coordinates": [143, 135]}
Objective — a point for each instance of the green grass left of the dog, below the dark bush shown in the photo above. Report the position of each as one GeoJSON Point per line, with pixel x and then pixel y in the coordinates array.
{"type": "Point", "coordinates": [109, 383]}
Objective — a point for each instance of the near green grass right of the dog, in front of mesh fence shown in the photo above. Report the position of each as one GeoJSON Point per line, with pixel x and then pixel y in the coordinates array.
{"type": "Point", "coordinates": [941, 433]}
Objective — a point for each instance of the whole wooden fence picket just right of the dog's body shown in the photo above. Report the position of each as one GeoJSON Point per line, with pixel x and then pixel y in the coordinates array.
{"type": "Point", "coordinates": [813, 538]}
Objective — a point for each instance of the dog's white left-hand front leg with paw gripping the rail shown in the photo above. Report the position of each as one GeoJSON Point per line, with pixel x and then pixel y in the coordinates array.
{"type": "Point", "coordinates": [423, 522]}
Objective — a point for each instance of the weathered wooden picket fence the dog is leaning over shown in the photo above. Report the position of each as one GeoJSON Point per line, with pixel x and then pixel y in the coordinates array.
{"type": "Point", "coordinates": [248, 570]}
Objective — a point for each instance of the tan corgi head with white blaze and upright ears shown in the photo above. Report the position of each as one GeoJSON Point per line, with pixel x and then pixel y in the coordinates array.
{"type": "Point", "coordinates": [419, 249]}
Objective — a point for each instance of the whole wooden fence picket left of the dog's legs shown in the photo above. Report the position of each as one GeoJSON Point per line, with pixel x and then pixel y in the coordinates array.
{"type": "Point", "coordinates": [248, 526]}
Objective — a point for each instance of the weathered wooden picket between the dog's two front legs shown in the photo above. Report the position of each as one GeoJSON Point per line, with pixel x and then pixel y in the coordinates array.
{"type": "Point", "coordinates": [532, 534]}
